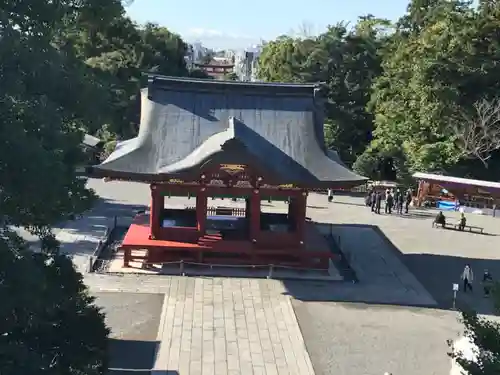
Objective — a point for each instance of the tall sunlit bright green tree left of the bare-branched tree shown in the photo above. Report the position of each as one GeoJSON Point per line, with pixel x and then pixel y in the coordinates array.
{"type": "Point", "coordinates": [413, 99]}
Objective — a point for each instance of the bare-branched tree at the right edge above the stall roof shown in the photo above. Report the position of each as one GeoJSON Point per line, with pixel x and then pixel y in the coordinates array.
{"type": "Point", "coordinates": [478, 133]}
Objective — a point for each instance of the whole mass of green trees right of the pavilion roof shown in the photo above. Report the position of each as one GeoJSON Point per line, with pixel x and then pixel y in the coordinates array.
{"type": "Point", "coordinates": [406, 91]}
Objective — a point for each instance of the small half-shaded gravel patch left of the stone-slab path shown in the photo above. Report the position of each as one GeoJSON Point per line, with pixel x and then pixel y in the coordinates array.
{"type": "Point", "coordinates": [133, 319]}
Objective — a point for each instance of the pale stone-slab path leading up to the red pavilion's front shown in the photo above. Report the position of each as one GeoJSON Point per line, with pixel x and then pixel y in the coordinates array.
{"type": "Point", "coordinates": [220, 325]}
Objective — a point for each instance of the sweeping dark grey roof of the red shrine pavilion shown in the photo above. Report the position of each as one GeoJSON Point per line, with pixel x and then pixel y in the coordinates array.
{"type": "Point", "coordinates": [277, 128]}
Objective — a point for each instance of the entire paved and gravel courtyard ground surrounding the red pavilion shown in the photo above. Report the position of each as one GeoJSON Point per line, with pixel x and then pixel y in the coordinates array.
{"type": "Point", "coordinates": [396, 319]}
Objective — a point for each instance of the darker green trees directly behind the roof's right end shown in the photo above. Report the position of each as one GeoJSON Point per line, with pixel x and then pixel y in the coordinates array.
{"type": "Point", "coordinates": [347, 61]}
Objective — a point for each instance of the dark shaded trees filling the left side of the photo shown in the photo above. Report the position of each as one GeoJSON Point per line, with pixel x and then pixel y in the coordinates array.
{"type": "Point", "coordinates": [68, 68]}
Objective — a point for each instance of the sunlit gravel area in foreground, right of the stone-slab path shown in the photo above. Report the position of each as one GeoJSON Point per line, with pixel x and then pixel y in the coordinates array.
{"type": "Point", "coordinates": [355, 339]}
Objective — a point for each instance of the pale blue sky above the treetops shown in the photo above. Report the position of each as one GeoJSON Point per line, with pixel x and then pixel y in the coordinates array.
{"type": "Point", "coordinates": [223, 24]}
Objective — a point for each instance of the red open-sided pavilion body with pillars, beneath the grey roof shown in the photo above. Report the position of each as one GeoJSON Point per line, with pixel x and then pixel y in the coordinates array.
{"type": "Point", "coordinates": [235, 218]}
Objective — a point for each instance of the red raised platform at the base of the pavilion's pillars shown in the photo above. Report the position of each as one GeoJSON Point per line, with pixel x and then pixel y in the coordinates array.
{"type": "Point", "coordinates": [212, 249]}
